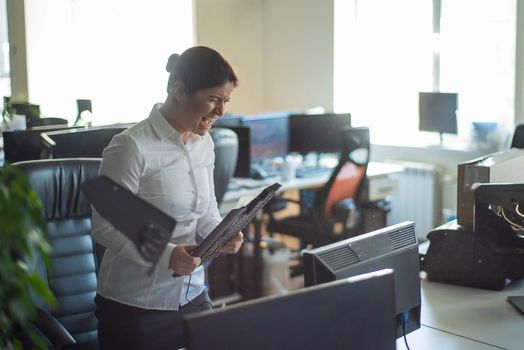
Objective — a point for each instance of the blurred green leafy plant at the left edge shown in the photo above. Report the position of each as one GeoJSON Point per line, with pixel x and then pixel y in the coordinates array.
{"type": "Point", "coordinates": [22, 238]}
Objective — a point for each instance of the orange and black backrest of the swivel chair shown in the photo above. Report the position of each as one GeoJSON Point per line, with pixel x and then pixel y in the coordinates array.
{"type": "Point", "coordinates": [348, 178]}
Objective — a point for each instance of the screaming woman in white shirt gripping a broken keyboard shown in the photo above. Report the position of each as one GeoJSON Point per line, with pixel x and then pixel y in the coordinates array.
{"type": "Point", "coordinates": [167, 159]}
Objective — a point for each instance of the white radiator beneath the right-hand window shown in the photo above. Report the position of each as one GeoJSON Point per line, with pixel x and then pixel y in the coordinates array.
{"type": "Point", "coordinates": [417, 198]}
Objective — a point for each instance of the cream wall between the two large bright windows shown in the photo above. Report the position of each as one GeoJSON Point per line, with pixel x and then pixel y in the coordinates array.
{"type": "Point", "coordinates": [283, 50]}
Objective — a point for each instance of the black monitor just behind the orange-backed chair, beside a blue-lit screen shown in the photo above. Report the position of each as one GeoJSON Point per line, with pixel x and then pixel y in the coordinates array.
{"type": "Point", "coordinates": [317, 132]}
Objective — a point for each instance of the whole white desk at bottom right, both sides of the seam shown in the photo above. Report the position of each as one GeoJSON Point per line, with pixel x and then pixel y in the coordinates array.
{"type": "Point", "coordinates": [455, 317]}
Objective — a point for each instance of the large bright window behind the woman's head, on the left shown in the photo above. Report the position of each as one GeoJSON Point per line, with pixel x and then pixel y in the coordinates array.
{"type": "Point", "coordinates": [110, 51]}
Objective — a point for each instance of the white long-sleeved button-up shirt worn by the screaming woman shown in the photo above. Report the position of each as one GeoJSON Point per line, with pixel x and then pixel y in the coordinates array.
{"type": "Point", "coordinates": [150, 160]}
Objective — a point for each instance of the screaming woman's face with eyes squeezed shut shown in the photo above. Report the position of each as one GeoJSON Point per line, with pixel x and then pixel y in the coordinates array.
{"type": "Point", "coordinates": [198, 112]}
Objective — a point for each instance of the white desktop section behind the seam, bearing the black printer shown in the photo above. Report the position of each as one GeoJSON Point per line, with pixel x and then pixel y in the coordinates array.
{"type": "Point", "coordinates": [479, 314]}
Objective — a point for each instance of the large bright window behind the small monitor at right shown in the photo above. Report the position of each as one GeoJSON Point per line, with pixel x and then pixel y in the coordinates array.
{"type": "Point", "coordinates": [388, 51]}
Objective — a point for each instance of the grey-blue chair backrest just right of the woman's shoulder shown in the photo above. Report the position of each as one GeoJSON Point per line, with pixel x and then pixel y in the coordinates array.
{"type": "Point", "coordinates": [226, 153]}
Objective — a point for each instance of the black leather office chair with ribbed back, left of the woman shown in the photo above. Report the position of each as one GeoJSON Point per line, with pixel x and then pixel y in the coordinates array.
{"type": "Point", "coordinates": [74, 256]}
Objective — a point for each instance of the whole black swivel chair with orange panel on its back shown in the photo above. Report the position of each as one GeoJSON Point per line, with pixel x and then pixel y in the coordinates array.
{"type": "Point", "coordinates": [338, 201]}
